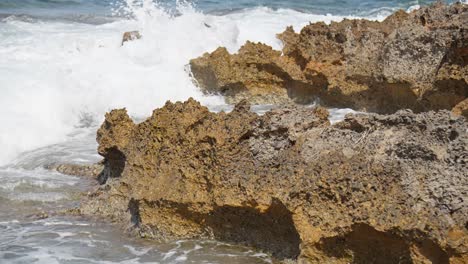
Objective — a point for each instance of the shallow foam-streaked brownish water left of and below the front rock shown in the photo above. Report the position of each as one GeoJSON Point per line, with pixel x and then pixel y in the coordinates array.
{"type": "Point", "coordinates": [29, 192]}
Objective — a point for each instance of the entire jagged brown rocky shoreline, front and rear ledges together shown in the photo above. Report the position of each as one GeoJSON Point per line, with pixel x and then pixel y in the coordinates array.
{"type": "Point", "coordinates": [373, 188]}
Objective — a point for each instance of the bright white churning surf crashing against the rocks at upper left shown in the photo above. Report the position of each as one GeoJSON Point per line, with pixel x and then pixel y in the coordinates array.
{"type": "Point", "coordinates": [52, 73]}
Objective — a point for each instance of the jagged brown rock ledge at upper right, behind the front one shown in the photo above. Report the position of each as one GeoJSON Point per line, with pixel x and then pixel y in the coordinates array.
{"type": "Point", "coordinates": [417, 61]}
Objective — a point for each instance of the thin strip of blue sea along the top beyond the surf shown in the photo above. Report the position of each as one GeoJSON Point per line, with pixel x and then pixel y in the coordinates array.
{"type": "Point", "coordinates": [105, 7]}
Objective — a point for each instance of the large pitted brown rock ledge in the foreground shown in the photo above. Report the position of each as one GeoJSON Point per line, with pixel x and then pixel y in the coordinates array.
{"type": "Point", "coordinates": [370, 189]}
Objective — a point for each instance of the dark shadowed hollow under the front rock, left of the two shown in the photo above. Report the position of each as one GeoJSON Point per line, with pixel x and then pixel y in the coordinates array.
{"type": "Point", "coordinates": [271, 230]}
